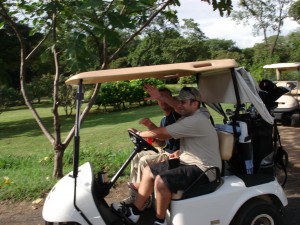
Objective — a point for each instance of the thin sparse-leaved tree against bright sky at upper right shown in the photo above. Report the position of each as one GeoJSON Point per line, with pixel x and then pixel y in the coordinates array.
{"type": "Point", "coordinates": [268, 17]}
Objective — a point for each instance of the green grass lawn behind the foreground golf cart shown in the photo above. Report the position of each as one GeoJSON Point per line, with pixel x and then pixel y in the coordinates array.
{"type": "Point", "coordinates": [26, 156]}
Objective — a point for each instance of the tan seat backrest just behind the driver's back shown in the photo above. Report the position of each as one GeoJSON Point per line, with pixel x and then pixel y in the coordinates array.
{"type": "Point", "coordinates": [226, 144]}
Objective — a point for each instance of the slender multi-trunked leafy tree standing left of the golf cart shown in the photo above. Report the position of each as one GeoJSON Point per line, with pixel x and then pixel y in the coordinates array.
{"type": "Point", "coordinates": [97, 24]}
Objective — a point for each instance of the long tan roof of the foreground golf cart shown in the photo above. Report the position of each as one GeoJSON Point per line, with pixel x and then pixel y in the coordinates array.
{"type": "Point", "coordinates": [209, 67]}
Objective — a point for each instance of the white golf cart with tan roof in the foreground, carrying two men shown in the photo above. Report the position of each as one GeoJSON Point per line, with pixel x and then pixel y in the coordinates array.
{"type": "Point", "coordinates": [246, 191]}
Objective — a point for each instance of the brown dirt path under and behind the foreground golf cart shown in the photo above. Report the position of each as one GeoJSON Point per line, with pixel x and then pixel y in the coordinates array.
{"type": "Point", "coordinates": [27, 213]}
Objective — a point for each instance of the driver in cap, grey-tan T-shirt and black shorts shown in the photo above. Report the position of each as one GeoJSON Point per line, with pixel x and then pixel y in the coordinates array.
{"type": "Point", "coordinates": [199, 150]}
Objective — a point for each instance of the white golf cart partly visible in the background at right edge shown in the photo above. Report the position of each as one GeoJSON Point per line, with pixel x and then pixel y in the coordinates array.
{"type": "Point", "coordinates": [288, 110]}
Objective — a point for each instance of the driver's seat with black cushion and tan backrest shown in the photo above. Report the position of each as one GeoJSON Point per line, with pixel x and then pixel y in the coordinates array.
{"type": "Point", "coordinates": [226, 144]}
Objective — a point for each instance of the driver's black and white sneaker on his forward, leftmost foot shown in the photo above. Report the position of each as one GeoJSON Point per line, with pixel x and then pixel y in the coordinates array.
{"type": "Point", "coordinates": [125, 211]}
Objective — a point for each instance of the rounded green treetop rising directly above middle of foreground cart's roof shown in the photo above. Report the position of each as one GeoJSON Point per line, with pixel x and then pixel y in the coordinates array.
{"type": "Point", "coordinates": [170, 44]}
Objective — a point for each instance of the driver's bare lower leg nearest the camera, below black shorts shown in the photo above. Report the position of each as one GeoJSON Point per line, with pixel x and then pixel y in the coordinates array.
{"type": "Point", "coordinates": [163, 197]}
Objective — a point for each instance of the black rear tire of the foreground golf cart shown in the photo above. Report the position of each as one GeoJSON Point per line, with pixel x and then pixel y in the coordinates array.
{"type": "Point", "coordinates": [258, 212]}
